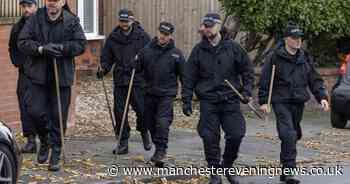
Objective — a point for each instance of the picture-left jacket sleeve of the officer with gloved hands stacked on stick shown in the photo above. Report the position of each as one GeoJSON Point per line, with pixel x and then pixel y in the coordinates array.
{"type": "Point", "coordinates": [26, 39]}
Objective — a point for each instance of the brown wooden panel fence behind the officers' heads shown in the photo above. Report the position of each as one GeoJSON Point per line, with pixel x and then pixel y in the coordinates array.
{"type": "Point", "coordinates": [184, 14]}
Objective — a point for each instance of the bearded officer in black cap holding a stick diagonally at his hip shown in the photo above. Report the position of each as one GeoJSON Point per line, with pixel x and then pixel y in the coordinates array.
{"type": "Point", "coordinates": [213, 60]}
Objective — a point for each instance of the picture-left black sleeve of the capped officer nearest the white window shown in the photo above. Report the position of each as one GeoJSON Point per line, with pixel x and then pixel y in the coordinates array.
{"type": "Point", "coordinates": [107, 56]}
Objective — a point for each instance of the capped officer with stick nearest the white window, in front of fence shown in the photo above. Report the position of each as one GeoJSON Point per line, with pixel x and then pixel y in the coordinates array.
{"type": "Point", "coordinates": [120, 49]}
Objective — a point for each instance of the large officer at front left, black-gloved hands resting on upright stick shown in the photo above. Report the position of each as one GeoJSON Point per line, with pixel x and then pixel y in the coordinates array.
{"type": "Point", "coordinates": [52, 33]}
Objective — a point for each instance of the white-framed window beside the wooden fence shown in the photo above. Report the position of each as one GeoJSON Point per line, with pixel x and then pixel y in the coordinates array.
{"type": "Point", "coordinates": [88, 13]}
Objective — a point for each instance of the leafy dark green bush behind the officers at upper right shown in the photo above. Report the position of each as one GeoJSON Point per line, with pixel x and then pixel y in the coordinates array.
{"type": "Point", "coordinates": [325, 20]}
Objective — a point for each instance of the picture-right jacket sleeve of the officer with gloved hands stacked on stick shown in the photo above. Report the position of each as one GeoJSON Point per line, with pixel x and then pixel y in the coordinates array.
{"type": "Point", "coordinates": [75, 46]}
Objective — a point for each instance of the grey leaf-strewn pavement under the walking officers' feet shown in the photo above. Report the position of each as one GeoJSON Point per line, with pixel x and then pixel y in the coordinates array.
{"type": "Point", "coordinates": [90, 158]}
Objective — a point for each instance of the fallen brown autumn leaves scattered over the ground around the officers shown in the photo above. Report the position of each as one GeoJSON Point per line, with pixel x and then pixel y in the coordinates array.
{"type": "Point", "coordinates": [89, 144]}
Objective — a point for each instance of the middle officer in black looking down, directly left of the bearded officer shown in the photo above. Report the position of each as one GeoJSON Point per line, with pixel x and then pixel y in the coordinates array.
{"type": "Point", "coordinates": [163, 65]}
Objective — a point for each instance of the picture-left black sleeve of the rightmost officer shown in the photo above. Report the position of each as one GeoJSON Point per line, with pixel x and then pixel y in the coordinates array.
{"type": "Point", "coordinates": [265, 79]}
